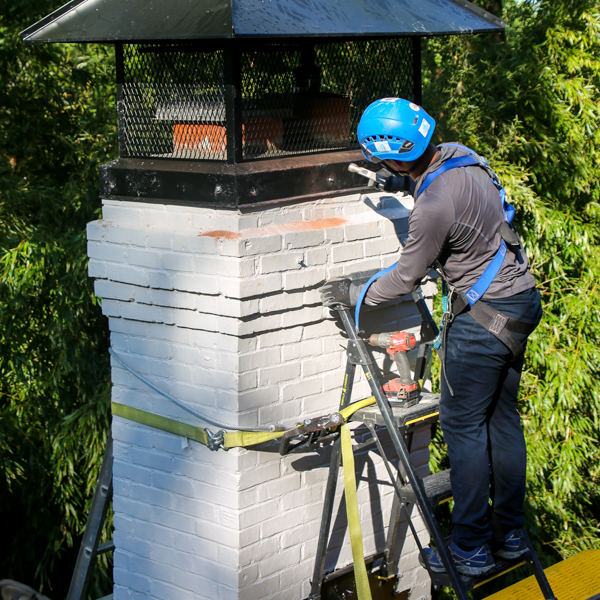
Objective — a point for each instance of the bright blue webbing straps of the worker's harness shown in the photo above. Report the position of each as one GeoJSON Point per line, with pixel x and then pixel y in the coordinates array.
{"type": "Point", "coordinates": [483, 283]}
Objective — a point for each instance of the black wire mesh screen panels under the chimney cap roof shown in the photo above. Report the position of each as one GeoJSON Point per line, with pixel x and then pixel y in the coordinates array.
{"type": "Point", "coordinates": [296, 99]}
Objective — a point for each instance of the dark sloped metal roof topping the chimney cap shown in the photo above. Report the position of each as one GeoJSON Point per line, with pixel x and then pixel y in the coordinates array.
{"type": "Point", "coordinates": [112, 21]}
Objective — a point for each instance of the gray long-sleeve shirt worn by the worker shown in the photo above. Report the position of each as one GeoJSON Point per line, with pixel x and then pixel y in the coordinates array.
{"type": "Point", "coordinates": [455, 221]}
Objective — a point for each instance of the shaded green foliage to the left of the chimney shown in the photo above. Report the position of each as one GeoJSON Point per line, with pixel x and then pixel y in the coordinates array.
{"type": "Point", "coordinates": [57, 125]}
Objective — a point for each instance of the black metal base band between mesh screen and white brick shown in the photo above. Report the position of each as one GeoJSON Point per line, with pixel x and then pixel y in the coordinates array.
{"type": "Point", "coordinates": [230, 186]}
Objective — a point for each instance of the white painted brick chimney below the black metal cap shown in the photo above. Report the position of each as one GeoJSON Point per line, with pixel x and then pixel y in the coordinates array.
{"type": "Point", "coordinates": [221, 309]}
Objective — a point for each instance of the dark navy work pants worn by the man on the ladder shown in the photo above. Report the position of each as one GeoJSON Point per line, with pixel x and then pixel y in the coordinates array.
{"type": "Point", "coordinates": [481, 424]}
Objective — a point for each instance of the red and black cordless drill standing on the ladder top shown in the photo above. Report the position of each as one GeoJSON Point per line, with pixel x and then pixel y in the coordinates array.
{"type": "Point", "coordinates": [403, 390]}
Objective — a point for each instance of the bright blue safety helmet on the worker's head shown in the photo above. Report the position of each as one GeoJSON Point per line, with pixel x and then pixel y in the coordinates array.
{"type": "Point", "coordinates": [396, 129]}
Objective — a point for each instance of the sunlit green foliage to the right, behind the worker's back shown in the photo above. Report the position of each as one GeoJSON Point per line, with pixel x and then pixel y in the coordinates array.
{"type": "Point", "coordinates": [528, 101]}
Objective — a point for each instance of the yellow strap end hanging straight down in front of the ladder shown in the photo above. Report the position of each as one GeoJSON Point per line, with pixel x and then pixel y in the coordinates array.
{"type": "Point", "coordinates": [363, 589]}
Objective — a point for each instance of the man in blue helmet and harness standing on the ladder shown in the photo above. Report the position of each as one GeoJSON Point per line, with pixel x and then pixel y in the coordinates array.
{"type": "Point", "coordinates": [459, 222]}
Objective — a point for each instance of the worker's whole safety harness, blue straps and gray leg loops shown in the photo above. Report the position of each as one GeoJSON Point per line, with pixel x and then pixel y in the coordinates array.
{"type": "Point", "coordinates": [491, 319]}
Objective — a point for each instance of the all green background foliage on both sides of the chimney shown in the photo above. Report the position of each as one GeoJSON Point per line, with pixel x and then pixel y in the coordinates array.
{"type": "Point", "coordinates": [527, 100]}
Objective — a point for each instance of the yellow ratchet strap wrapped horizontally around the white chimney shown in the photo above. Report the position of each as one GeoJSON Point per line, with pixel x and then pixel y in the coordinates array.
{"type": "Point", "coordinates": [231, 439]}
